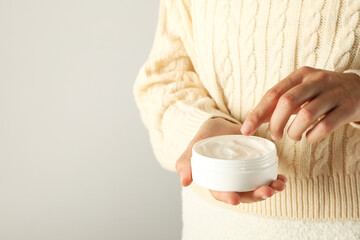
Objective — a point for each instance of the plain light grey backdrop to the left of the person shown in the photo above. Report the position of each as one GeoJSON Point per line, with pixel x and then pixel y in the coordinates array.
{"type": "Point", "coordinates": [75, 159]}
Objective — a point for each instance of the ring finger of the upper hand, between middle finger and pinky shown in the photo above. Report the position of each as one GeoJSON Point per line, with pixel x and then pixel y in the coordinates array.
{"type": "Point", "coordinates": [310, 114]}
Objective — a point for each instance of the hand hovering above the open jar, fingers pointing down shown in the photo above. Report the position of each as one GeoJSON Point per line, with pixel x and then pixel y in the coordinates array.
{"type": "Point", "coordinates": [311, 94]}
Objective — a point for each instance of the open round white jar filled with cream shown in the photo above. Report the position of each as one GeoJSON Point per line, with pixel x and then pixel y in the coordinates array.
{"type": "Point", "coordinates": [234, 163]}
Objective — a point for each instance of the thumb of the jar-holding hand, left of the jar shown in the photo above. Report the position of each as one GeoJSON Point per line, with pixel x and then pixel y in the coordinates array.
{"type": "Point", "coordinates": [183, 167]}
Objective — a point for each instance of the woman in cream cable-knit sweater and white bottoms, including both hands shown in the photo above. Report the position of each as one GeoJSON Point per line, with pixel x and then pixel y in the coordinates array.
{"type": "Point", "coordinates": [288, 71]}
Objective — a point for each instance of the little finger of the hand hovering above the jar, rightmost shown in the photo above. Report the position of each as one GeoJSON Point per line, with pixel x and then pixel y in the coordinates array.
{"type": "Point", "coordinates": [326, 125]}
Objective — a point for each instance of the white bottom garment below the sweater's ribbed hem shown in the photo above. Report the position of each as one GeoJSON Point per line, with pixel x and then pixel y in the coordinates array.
{"type": "Point", "coordinates": [204, 220]}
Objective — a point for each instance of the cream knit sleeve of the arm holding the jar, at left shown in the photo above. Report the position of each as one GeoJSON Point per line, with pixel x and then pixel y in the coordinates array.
{"type": "Point", "coordinates": [172, 100]}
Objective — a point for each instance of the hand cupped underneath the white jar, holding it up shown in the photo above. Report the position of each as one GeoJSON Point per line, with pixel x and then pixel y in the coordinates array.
{"type": "Point", "coordinates": [216, 127]}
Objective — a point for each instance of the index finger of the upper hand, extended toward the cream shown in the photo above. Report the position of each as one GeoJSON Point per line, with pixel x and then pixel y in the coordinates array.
{"type": "Point", "coordinates": [268, 102]}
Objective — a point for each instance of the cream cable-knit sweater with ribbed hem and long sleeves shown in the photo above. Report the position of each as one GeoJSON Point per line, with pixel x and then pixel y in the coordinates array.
{"type": "Point", "coordinates": [218, 58]}
